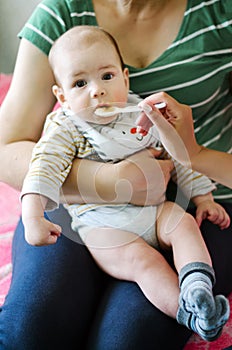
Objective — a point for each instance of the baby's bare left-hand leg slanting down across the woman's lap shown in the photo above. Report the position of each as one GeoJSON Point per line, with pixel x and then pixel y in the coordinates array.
{"type": "Point", "coordinates": [126, 256]}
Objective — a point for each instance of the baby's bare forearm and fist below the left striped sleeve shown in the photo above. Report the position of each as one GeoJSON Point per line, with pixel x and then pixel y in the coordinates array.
{"type": "Point", "coordinates": [38, 230]}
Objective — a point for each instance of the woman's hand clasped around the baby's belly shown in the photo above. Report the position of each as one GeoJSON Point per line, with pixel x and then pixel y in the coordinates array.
{"type": "Point", "coordinates": [142, 179]}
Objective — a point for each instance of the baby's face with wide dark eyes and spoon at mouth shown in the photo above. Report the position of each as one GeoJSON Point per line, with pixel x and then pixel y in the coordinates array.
{"type": "Point", "coordinates": [92, 77]}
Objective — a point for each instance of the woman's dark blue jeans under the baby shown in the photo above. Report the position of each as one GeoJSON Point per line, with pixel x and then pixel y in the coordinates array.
{"type": "Point", "coordinates": [60, 299]}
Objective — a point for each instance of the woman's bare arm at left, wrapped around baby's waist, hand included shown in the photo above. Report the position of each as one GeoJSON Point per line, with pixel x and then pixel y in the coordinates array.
{"type": "Point", "coordinates": [22, 117]}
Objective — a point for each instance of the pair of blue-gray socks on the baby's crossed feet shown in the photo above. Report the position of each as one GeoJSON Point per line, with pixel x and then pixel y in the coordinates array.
{"type": "Point", "coordinates": [198, 309]}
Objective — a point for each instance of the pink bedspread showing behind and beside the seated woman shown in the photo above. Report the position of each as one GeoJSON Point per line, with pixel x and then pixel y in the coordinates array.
{"type": "Point", "coordinates": [10, 210]}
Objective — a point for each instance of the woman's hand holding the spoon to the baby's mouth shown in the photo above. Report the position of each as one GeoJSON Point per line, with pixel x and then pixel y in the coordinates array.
{"type": "Point", "coordinates": [174, 125]}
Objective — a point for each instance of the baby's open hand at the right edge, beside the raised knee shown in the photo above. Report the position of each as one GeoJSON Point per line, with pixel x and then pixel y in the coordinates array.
{"type": "Point", "coordinates": [214, 212]}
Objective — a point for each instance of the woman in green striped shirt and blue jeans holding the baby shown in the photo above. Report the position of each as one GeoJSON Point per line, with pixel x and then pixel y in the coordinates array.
{"type": "Point", "coordinates": [58, 297]}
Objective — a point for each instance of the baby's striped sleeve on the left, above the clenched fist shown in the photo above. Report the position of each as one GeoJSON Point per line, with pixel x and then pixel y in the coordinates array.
{"type": "Point", "coordinates": [51, 160]}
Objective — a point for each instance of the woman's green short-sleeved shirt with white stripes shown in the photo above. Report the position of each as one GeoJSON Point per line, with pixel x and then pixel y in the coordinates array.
{"type": "Point", "coordinates": [194, 69]}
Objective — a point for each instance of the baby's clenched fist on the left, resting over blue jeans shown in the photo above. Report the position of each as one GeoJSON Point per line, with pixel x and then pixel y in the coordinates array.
{"type": "Point", "coordinates": [39, 231]}
